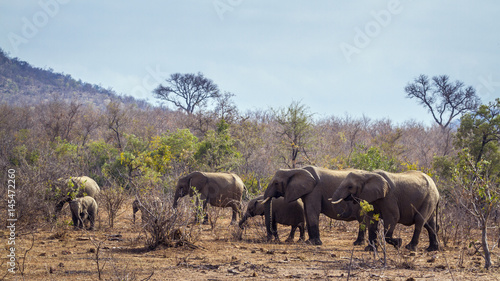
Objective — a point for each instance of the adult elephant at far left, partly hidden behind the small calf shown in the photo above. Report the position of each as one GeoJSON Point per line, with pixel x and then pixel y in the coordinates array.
{"type": "Point", "coordinates": [75, 187]}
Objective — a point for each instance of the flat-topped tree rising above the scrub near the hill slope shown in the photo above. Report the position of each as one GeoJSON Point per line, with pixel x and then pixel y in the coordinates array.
{"type": "Point", "coordinates": [187, 91]}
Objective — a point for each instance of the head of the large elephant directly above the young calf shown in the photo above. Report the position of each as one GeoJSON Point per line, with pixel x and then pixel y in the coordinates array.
{"type": "Point", "coordinates": [291, 184]}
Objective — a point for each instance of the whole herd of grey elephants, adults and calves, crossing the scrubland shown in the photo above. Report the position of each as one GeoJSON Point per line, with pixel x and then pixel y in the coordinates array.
{"type": "Point", "coordinates": [297, 197]}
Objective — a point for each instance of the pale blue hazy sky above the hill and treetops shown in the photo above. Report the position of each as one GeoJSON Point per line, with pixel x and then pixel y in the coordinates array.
{"type": "Point", "coordinates": [339, 58]}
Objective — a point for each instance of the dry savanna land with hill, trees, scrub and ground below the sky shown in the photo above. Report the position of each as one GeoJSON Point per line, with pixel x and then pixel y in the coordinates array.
{"type": "Point", "coordinates": [53, 127]}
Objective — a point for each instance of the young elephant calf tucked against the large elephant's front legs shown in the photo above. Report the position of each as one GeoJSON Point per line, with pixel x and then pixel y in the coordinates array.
{"type": "Point", "coordinates": [284, 213]}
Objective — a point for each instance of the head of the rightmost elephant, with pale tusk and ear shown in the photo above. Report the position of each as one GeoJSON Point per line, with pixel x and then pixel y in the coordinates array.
{"type": "Point", "coordinates": [361, 186]}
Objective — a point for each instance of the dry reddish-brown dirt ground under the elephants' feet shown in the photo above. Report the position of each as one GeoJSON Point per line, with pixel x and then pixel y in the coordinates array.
{"type": "Point", "coordinates": [218, 254]}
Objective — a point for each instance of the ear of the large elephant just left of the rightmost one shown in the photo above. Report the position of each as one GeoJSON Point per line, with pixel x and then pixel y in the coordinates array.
{"type": "Point", "coordinates": [300, 182]}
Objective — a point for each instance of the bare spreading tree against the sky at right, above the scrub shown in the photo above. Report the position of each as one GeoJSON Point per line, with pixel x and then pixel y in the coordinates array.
{"type": "Point", "coordinates": [444, 99]}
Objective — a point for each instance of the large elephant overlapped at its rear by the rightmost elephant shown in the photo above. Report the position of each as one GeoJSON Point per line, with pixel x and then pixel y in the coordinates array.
{"type": "Point", "coordinates": [314, 186]}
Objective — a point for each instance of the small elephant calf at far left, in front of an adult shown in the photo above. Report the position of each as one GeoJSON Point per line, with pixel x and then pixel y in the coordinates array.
{"type": "Point", "coordinates": [83, 209]}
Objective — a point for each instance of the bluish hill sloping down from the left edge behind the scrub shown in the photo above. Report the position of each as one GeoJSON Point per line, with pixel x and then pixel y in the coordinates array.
{"type": "Point", "coordinates": [24, 84]}
